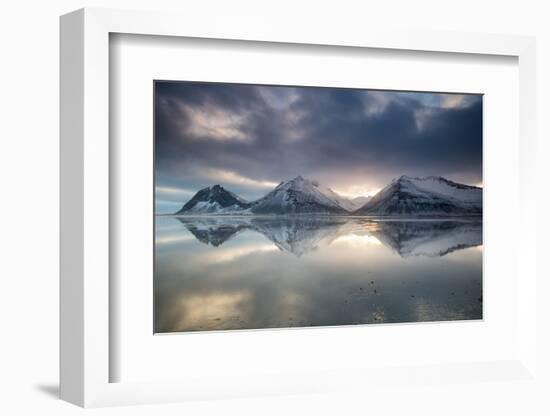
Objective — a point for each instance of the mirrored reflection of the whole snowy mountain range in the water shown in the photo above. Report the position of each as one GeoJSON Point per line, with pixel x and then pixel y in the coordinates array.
{"type": "Point", "coordinates": [301, 235]}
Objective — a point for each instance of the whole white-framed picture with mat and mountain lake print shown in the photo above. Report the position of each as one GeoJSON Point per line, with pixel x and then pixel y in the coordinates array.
{"type": "Point", "coordinates": [277, 213]}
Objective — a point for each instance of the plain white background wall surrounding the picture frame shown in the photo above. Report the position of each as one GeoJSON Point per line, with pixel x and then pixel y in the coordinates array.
{"type": "Point", "coordinates": [29, 206]}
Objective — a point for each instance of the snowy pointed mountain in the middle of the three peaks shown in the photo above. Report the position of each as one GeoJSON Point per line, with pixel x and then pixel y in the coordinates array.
{"type": "Point", "coordinates": [300, 196]}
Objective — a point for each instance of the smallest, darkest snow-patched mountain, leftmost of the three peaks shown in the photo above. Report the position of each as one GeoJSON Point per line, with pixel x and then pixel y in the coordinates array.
{"type": "Point", "coordinates": [214, 200]}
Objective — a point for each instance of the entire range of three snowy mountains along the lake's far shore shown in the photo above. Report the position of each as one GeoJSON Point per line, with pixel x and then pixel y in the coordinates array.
{"type": "Point", "coordinates": [405, 196]}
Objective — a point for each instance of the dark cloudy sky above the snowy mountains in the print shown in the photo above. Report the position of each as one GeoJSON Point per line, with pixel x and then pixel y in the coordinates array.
{"type": "Point", "coordinates": [249, 138]}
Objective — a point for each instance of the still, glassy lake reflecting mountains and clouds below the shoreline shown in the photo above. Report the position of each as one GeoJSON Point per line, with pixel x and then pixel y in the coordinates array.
{"type": "Point", "coordinates": [225, 273]}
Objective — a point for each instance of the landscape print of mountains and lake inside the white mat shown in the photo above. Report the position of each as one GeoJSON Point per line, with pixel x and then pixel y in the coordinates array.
{"type": "Point", "coordinates": [290, 206]}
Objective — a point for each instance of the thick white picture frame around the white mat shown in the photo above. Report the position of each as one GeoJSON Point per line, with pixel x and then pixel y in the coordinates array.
{"type": "Point", "coordinates": [85, 210]}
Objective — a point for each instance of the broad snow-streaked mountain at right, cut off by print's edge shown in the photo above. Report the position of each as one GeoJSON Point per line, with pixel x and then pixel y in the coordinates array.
{"type": "Point", "coordinates": [424, 196]}
